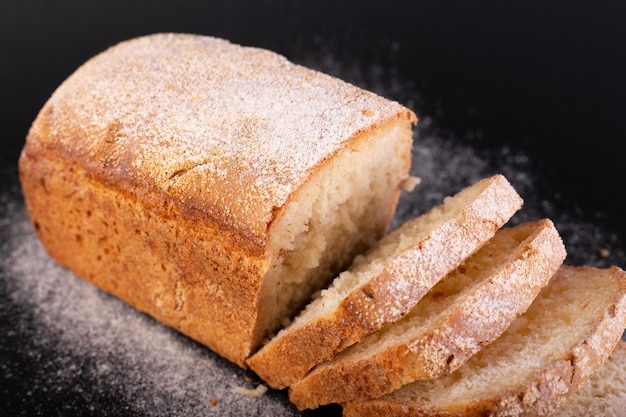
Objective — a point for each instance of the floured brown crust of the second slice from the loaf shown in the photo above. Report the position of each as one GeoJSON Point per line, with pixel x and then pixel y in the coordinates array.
{"type": "Point", "coordinates": [481, 316]}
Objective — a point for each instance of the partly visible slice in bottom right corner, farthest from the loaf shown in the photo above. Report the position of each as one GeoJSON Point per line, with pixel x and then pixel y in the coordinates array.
{"type": "Point", "coordinates": [604, 393]}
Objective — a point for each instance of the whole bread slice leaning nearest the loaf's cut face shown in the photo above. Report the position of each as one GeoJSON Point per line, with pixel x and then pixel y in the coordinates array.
{"type": "Point", "coordinates": [385, 284]}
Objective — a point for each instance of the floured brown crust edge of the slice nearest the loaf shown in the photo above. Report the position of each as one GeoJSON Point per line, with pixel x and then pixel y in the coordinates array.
{"type": "Point", "coordinates": [392, 293]}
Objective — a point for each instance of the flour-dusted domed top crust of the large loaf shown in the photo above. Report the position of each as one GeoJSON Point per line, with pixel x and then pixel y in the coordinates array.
{"type": "Point", "coordinates": [226, 132]}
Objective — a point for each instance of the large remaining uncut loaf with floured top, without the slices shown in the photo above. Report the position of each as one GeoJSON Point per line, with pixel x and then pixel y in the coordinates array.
{"type": "Point", "coordinates": [213, 186]}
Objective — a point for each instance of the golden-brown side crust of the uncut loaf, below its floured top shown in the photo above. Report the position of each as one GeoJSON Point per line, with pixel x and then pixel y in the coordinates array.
{"type": "Point", "coordinates": [111, 240]}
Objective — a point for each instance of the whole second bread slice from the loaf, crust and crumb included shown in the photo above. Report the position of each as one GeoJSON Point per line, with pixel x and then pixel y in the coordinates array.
{"type": "Point", "coordinates": [468, 309]}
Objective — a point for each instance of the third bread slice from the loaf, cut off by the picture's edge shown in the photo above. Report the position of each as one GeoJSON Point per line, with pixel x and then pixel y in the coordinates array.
{"type": "Point", "coordinates": [567, 333]}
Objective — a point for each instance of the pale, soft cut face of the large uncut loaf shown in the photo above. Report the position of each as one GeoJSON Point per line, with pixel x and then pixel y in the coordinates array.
{"type": "Point", "coordinates": [342, 210]}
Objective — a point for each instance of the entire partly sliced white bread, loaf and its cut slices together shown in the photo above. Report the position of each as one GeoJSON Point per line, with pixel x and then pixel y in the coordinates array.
{"type": "Point", "coordinates": [217, 187]}
